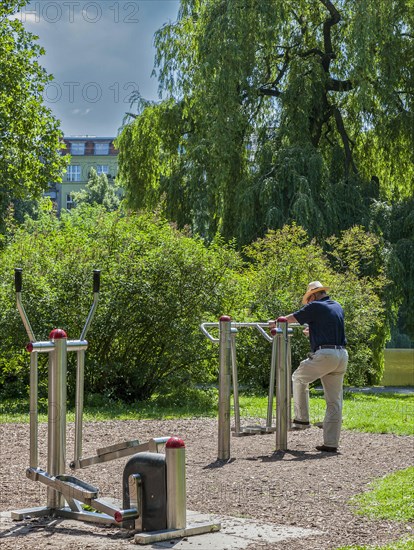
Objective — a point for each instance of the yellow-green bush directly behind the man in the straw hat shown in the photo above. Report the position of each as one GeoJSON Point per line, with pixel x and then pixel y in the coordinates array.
{"type": "Point", "coordinates": [283, 263]}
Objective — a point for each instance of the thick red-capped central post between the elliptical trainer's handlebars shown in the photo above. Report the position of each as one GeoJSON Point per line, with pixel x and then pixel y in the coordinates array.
{"type": "Point", "coordinates": [57, 413]}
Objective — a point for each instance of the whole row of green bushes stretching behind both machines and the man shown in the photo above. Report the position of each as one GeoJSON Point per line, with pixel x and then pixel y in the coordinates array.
{"type": "Point", "coordinates": [158, 284]}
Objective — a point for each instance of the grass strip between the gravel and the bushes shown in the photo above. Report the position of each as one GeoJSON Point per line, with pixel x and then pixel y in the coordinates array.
{"type": "Point", "coordinates": [375, 413]}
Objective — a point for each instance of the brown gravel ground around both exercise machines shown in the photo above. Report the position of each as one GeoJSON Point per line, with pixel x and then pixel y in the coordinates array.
{"type": "Point", "coordinates": [300, 487]}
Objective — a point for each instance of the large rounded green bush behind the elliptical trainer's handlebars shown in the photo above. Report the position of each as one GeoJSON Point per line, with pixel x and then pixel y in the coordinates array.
{"type": "Point", "coordinates": [157, 286]}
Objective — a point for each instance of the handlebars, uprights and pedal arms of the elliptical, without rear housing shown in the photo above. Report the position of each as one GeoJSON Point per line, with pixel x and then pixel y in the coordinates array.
{"type": "Point", "coordinates": [62, 487]}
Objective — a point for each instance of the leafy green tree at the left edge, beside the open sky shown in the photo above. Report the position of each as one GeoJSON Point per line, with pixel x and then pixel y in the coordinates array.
{"type": "Point", "coordinates": [29, 134]}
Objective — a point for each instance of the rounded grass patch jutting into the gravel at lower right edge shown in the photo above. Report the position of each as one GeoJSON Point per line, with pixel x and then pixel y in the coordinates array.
{"type": "Point", "coordinates": [391, 497]}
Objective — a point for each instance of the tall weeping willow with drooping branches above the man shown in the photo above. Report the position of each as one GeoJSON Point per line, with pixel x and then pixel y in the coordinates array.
{"type": "Point", "coordinates": [273, 111]}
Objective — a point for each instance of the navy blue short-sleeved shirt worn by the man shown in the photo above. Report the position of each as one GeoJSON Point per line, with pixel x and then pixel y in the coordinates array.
{"type": "Point", "coordinates": [325, 318]}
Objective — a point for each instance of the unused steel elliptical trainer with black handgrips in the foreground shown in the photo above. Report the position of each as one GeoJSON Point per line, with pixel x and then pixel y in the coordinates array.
{"type": "Point", "coordinates": [153, 486]}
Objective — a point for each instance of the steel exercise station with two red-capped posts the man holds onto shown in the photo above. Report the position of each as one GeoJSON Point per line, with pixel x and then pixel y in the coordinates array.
{"type": "Point", "coordinates": [280, 375]}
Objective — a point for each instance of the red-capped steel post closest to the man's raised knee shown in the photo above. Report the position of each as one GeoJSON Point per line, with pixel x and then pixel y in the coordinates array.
{"type": "Point", "coordinates": [281, 386]}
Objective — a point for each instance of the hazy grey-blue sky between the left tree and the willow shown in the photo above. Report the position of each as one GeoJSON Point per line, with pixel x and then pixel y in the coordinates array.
{"type": "Point", "coordinates": [98, 52]}
